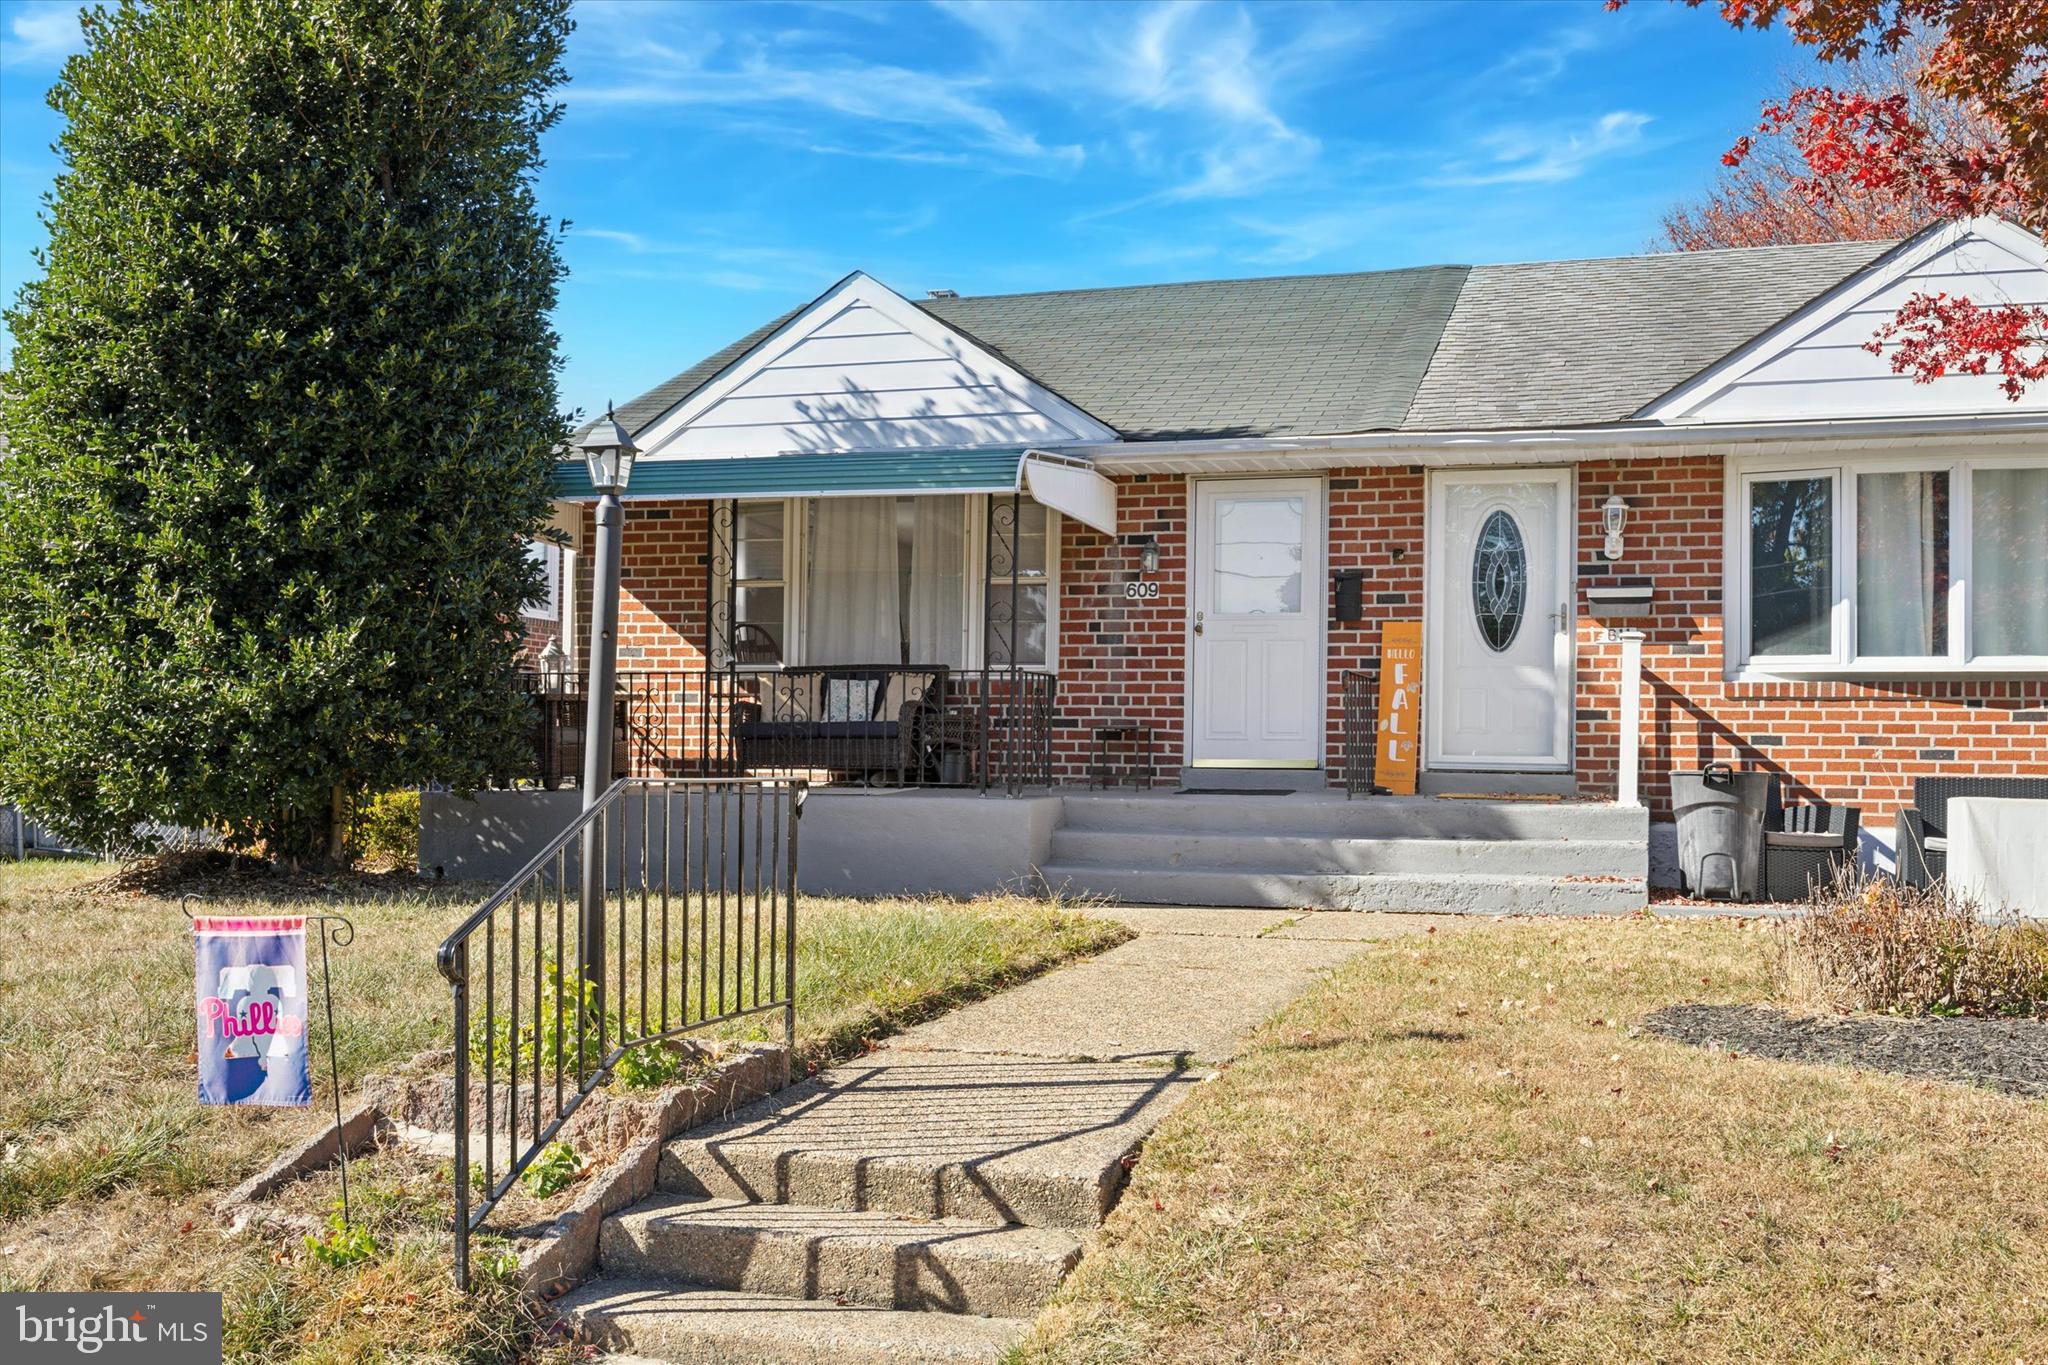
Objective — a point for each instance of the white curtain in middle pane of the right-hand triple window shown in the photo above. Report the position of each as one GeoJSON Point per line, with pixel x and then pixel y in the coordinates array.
{"type": "Point", "coordinates": [1900, 566]}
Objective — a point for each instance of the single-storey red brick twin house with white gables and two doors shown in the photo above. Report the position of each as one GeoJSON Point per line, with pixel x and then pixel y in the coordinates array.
{"type": "Point", "coordinates": [1195, 507]}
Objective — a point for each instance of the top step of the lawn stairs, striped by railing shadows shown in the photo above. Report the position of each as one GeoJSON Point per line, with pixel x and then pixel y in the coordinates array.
{"type": "Point", "coordinates": [994, 1141]}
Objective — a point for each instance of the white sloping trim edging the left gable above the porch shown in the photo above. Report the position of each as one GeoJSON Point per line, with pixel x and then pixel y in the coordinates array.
{"type": "Point", "coordinates": [865, 290]}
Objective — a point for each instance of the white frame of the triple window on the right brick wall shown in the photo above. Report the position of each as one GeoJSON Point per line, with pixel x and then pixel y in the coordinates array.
{"type": "Point", "coordinates": [1842, 658]}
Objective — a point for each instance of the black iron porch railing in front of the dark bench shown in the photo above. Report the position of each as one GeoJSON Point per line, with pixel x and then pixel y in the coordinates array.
{"type": "Point", "coordinates": [886, 725]}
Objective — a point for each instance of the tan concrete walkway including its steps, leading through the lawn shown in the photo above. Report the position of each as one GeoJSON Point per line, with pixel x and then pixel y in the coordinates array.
{"type": "Point", "coordinates": [923, 1202]}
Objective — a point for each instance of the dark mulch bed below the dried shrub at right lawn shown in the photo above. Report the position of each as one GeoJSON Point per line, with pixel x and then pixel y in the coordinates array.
{"type": "Point", "coordinates": [2006, 1055]}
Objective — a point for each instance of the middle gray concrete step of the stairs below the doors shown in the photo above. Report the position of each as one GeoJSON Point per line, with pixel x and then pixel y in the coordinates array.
{"type": "Point", "coordinates": [1172, 850]}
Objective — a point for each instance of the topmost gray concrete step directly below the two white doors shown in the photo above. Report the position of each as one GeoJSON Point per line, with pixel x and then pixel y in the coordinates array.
{"type": "Point", "coordinates": [1322, 816]}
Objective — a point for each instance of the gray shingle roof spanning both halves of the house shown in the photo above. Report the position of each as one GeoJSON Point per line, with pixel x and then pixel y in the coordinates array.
{"type": "Point", "coordinates": [1426, 351]}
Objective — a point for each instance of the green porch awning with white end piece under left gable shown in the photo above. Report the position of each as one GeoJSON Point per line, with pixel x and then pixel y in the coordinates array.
{"type": "Point", "coordinates": [1062, 482]}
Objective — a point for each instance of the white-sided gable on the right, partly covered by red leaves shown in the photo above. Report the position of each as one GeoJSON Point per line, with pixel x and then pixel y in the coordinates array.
{"type": "Point", "coordinates": [1816, 367]}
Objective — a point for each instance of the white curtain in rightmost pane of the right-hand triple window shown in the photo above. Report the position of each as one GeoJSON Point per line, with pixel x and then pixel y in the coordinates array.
{"type": "Point", "coordinates": [2010, 545]}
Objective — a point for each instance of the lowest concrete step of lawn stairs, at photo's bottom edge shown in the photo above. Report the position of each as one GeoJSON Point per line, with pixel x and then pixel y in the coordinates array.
{"type": "Point", "coordinates": [691, 1325]}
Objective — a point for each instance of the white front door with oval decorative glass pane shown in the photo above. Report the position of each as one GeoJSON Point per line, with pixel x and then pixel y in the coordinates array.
{"type": "Point", "coordinates": [1498, 621]}
